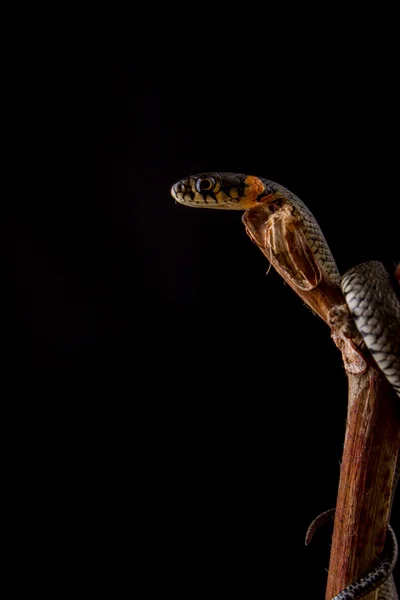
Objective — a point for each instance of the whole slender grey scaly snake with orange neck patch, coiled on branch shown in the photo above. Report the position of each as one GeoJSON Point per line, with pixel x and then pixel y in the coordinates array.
{"type": "Point", "coordinates": [371, 302]}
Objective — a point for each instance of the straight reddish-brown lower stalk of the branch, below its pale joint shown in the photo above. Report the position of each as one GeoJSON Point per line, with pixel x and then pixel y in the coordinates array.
{"type": "Point", "coordinates": [366, 478]}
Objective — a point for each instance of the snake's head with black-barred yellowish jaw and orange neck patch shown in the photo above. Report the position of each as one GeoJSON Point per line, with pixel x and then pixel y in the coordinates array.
{"type": "Point", "coordinates": [226, 191]}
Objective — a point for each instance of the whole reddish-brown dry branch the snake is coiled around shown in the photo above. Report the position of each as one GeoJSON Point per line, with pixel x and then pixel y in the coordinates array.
{"type": "Point", "coordinates": [373, 425]}
